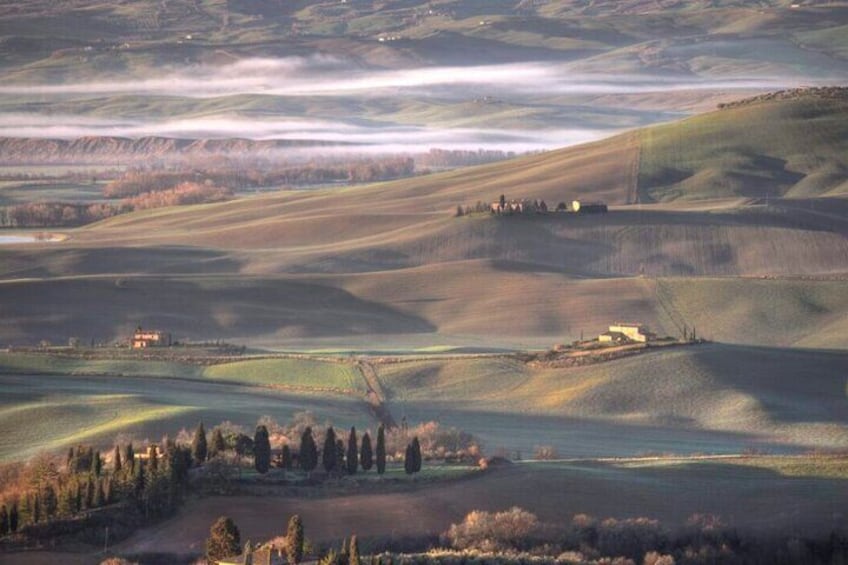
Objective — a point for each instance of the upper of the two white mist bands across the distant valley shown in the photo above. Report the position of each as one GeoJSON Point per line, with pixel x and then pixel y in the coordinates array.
{"type": "Point", "coordinates": [322, 76]}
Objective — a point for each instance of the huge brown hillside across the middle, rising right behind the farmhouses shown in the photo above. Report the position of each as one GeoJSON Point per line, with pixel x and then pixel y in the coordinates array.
{"type": "Point", "coordinates": [390, 259]}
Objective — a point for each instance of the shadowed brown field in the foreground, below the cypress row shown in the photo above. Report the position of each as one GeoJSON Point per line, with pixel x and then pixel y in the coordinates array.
{"type": "Point", "coordinates": [554, 491]}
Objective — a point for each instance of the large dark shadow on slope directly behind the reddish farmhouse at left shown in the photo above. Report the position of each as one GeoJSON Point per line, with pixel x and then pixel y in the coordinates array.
{"type": "Point", "coordinates": [204, 308]}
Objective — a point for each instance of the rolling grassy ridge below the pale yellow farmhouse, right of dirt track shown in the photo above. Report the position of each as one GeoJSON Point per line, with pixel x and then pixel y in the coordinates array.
{"type": "Point", "coordinates": [714, 399]}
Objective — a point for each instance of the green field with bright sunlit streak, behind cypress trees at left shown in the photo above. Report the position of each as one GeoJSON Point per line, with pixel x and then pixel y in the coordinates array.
{"type": "Point", "coordinates": [51, 413]}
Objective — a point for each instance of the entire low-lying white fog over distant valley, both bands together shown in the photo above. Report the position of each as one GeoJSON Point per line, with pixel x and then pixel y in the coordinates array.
{"type": "Point", "coordinates": [537, 89]}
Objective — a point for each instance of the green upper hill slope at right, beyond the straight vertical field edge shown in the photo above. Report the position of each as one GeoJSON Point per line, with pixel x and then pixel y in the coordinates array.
{"type": "Point", "coordinates": [789, 148]}
